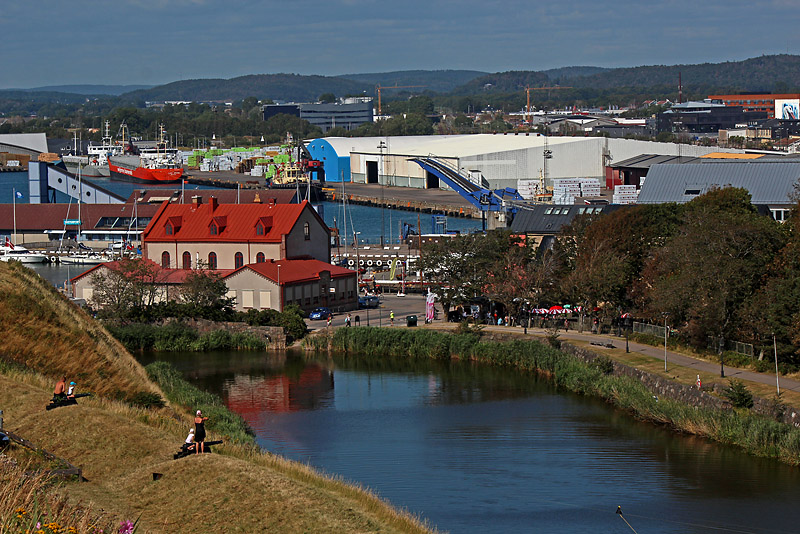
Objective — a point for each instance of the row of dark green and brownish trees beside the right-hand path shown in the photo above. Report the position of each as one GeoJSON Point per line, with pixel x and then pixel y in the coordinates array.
{"type": "Point", "coordinates": [715, 268]}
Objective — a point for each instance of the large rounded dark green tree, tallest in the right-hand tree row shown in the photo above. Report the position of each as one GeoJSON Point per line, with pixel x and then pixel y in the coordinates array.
{"type": "Point", "coordinates": [712, 265]}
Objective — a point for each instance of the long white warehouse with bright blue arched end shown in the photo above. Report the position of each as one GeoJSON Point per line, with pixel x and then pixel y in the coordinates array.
{"type": "Point", "coordinates": [502, 159]}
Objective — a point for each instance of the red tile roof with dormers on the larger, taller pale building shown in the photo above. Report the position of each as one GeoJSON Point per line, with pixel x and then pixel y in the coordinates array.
{"type": "Point", "coordinates": [236, 222]}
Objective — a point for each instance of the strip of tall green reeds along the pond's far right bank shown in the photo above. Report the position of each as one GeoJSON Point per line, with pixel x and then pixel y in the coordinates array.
{"type": "Point", "coordinates": [755, 434]}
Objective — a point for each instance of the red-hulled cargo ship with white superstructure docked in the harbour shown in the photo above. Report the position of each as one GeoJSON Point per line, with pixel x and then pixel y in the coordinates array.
{"type": "Point", "coordinates": [156, 165]}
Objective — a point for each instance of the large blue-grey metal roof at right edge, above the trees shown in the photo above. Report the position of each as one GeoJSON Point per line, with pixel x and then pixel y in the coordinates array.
{"type": "Point", "coordinates": [768, 182]}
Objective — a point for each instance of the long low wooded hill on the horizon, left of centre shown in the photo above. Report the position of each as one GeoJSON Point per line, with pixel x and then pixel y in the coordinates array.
{"type": "Point", "coordinates": [288, 87]}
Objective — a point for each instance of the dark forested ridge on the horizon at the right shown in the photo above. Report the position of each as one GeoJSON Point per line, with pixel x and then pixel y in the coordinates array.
{"type": "Point", "coordinates": [779, 73]}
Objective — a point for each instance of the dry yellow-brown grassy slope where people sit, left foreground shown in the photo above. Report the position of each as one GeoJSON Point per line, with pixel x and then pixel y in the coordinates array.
{"type": "Point", "coordinates": [119, 447]}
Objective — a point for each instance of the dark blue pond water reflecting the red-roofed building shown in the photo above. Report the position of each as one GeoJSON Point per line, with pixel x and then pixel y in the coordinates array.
{"type": "Point", "coordinates": [476, 449]}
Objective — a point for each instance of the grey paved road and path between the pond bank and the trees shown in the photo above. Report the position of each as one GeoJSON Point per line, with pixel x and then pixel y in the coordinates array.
{"type": "Point", "coordinates": [415, 304]}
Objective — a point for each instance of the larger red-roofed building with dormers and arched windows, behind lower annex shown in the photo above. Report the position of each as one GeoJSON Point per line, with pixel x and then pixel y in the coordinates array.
{"type": "Point", "coordinates": [229, 236]}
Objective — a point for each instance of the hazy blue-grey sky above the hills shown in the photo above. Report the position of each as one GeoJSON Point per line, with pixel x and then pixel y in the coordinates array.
{"type": "Point", "coordinates": [151, 42]}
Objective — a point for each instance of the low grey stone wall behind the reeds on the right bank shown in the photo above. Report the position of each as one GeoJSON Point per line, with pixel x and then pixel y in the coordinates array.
{"type": "Point", "coordinates": [662, 387]}
